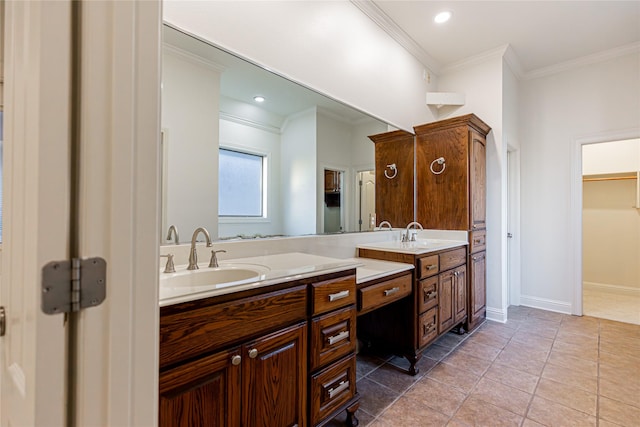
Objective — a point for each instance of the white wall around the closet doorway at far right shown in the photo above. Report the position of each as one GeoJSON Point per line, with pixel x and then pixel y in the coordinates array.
{"type": "Point", "coordinates": [556, 112]}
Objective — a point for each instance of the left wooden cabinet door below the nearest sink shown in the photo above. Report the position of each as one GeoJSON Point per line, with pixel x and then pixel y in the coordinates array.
{"type": "Point", "coordinates": [205, 392]}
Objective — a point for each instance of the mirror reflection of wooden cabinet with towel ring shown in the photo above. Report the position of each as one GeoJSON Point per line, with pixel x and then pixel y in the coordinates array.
{"type": "Point", "coordinates": [394, 191]}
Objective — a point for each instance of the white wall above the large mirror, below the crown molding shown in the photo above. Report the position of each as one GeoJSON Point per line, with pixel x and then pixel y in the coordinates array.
{"type": "Point", "coordinates": [326, 45]}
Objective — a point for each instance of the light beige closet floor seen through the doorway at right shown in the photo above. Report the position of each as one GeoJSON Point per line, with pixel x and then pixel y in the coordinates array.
{"type": "Point", "coordinates": [611, 305]}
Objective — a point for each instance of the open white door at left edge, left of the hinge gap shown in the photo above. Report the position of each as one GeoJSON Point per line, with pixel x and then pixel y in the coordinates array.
{"type": "Point", "coordinates": [36, 209]}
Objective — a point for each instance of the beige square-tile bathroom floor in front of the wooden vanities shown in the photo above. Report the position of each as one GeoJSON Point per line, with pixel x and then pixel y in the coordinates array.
{"type": "Point", "coordinates": [539, 369]}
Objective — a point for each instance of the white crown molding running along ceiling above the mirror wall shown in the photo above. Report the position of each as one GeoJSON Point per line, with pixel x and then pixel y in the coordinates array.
{"type": "Point", "coordinates": [377, 15]}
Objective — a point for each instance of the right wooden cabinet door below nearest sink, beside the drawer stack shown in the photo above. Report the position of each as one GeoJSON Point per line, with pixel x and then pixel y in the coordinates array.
{"type": "Point", "coordinates": [274, 379]}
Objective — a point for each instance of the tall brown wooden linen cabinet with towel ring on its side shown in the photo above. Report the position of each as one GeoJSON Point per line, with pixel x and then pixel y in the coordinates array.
{"type": "Point", "coordinates": [450, 192]}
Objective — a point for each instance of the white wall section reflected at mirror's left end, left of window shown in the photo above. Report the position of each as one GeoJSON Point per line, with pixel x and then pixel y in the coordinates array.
{"type": "Point", "coordinates": [190, 92]}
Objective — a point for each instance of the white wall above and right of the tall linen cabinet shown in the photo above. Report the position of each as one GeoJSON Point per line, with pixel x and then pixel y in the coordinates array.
{"type": "Point", "coordinates": [482, 85]}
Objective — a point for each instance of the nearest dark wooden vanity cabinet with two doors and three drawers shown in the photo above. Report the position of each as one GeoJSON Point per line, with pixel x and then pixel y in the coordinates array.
{"type": "Point", "coordinates": [282, 355]}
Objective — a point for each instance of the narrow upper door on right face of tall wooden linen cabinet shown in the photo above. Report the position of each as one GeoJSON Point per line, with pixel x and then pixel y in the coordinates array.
{"type": "Point", "coordinates": [477, 181]}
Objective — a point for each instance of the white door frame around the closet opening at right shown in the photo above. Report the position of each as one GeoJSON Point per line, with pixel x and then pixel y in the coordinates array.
{"type": "Point", "coordinates": [575, 213]}
